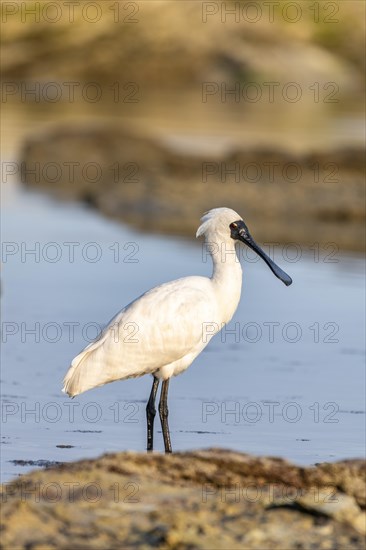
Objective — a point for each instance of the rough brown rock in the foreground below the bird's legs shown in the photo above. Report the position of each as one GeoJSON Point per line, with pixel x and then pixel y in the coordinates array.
{"type": "Point", "coordinates": [207, 499]}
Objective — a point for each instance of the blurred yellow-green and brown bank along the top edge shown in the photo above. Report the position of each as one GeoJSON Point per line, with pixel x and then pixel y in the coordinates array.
{"type": "Point", "coordinates": [169, 43]}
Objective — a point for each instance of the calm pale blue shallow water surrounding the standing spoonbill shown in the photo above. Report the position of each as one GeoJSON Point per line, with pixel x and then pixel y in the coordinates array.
{"type": "Point", "coordinates": [287, 381]}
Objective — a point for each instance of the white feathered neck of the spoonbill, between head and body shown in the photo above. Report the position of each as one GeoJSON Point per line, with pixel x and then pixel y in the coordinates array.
{"type": "Point", "coordinates": [226, 277]}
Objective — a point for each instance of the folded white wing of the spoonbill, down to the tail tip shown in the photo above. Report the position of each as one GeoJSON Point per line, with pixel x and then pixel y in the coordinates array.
{"type": "Point", "coordinates": [161, 327]}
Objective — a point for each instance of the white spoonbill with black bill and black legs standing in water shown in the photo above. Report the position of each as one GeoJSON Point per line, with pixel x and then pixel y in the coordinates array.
{"type": "Point", "coordinates": [170, 321]}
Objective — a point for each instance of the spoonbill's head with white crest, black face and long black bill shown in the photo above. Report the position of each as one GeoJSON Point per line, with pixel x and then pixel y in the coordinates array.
{"type": "Point", "coordinates": [225, 223]}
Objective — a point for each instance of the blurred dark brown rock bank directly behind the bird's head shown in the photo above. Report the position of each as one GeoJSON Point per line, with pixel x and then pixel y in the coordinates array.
{"type": "Point", "coordinates": [304, 198]}
